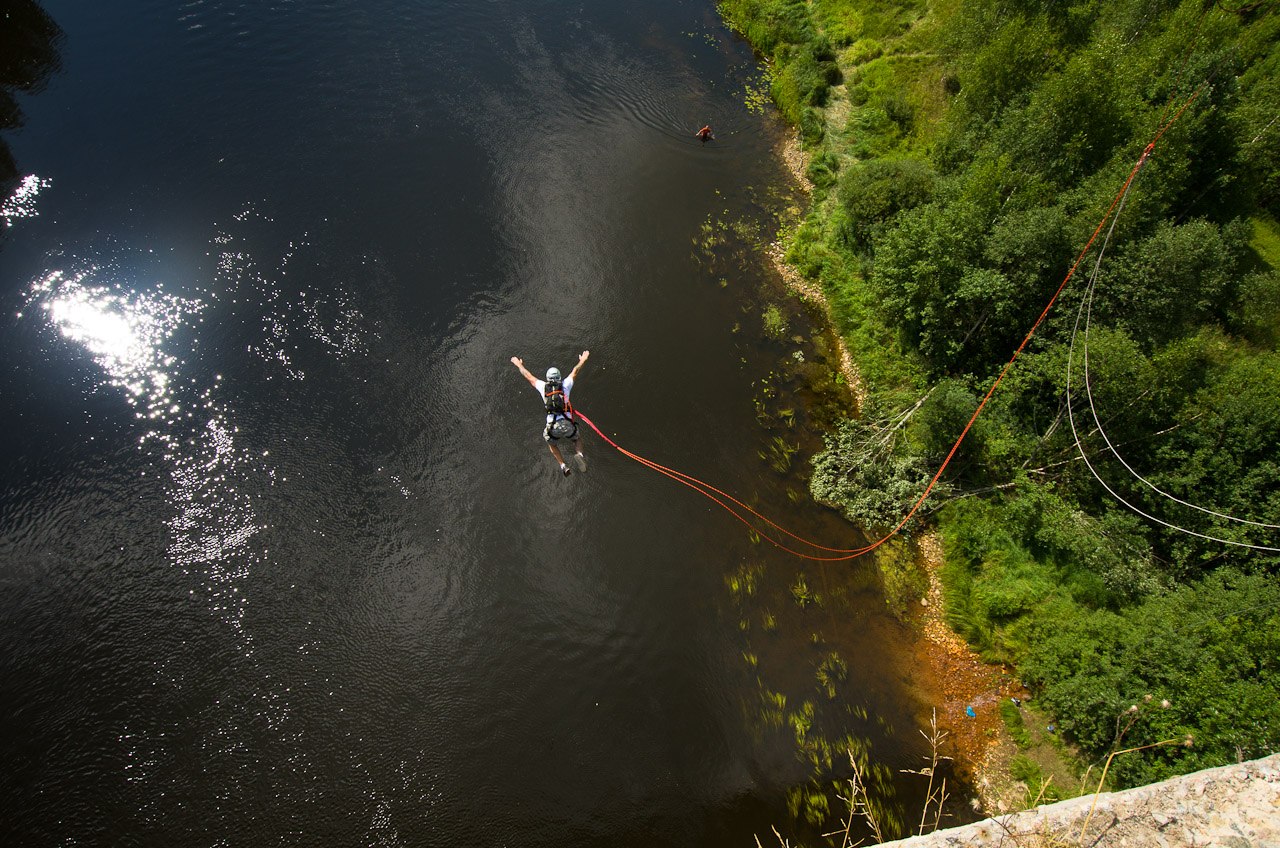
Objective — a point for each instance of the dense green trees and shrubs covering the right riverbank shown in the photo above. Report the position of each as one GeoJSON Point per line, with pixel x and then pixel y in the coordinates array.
{"type": "Point", "coordinates": [964, 152]}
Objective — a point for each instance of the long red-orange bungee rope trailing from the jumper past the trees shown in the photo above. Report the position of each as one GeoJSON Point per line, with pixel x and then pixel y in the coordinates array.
{"type": "Point", "coordinates": [724, 499]}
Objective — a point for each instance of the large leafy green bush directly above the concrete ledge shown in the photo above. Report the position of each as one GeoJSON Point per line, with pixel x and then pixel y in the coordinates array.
{"type": "Point", "coordinates": [1210, 649]}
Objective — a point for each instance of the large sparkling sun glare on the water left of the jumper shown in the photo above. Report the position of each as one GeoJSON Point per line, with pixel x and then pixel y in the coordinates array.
{"type": "Point", "coordinates": [147, 344]}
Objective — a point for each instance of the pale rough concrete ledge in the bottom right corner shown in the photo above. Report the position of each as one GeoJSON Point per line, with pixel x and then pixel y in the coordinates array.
{"type": "Point", "coordinates": [1228, 808]}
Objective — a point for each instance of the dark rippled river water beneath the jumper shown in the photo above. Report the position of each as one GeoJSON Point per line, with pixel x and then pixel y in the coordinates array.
{"type": "Point", "coordinates": [284, 559]}
